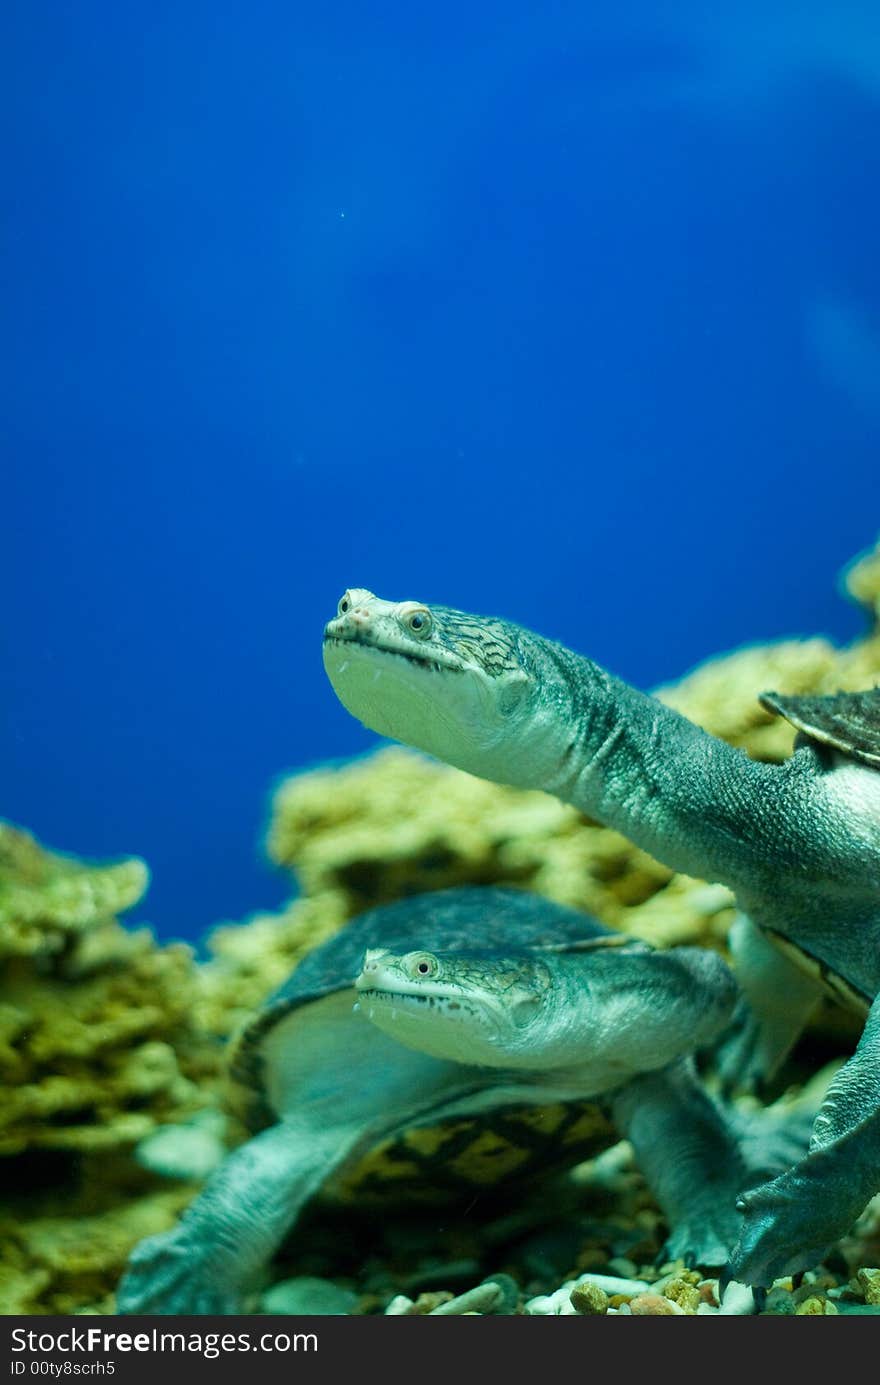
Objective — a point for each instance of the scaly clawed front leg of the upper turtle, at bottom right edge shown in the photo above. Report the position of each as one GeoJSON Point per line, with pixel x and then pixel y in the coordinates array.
{"type": "Point", "coordinates": [792, 1222]}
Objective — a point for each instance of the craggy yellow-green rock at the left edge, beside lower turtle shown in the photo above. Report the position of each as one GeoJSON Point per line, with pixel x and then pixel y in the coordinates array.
{"type": "Point", "coordinates": [98, 1051]}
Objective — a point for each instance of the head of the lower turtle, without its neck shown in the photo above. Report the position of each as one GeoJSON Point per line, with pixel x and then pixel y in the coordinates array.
{"type": "Point", "coordinates": [483, 1010]}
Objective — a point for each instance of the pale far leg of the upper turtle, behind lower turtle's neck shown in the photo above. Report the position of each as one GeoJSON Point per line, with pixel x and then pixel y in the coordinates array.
{"type": "Point", "coordinates": [778, 1001]}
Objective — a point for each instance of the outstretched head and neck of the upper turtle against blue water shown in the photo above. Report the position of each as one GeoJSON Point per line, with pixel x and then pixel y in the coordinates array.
{"type": "Point", "coordinates": [508, 706]}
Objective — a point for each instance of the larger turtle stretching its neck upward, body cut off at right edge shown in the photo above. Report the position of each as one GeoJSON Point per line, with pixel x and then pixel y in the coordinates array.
{"type": "Point", "coordinates": [798, 843]}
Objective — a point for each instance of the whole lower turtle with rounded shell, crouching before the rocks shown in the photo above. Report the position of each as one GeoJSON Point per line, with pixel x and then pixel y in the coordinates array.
{"type": "Point", "coordinates": [480, 1038]}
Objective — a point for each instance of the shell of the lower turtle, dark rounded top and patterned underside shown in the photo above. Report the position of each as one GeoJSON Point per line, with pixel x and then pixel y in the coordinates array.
{"type": "Point", "coordinates": [441, 1163]}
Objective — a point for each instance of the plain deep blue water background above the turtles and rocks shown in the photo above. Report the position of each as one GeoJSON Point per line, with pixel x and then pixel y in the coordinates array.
{"type": "Point", "coordinates": [565, 312]}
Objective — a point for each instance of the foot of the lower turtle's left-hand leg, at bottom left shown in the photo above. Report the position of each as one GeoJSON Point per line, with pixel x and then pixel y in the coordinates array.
{"type": "Point", "coordinates": [167, 1275]}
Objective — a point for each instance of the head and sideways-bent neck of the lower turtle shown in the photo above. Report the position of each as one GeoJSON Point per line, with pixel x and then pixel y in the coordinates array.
{"type": "Point", "coordinates": [610, 1006]}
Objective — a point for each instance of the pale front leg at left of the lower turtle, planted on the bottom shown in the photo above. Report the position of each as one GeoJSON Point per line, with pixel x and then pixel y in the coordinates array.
{"type": "Point", "coordinates": [211, 1261]}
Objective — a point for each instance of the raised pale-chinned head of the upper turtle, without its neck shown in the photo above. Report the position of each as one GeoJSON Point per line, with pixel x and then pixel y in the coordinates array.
{"type": "Point", "coordinates": [457, 686]}
